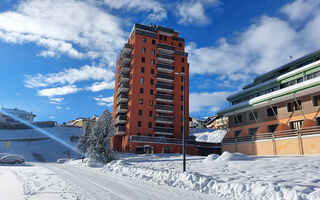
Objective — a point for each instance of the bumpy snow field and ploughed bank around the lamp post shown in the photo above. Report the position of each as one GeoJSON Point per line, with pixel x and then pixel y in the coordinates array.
{"type": "Point", "coordinates": [231, 176]}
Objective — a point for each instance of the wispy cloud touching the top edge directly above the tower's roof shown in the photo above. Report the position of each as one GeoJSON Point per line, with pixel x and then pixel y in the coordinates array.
{"type": "Point", "coordinates": [156, 8]}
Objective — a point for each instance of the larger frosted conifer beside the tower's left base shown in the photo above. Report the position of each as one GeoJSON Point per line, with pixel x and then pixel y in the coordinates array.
{"type": "Point", "coordinates": [99, 139]}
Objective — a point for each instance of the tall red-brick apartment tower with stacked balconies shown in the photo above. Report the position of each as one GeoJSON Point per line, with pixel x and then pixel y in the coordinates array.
{"type": "Point", "coordinates": [148, 96]}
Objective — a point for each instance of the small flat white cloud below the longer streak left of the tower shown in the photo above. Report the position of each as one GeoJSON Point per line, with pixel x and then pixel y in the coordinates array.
{"type": "Point", "coordinates": [58, 91]}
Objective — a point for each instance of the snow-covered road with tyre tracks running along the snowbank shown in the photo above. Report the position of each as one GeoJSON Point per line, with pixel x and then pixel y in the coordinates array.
{"type": "Point", "coordinates": [98, 185]}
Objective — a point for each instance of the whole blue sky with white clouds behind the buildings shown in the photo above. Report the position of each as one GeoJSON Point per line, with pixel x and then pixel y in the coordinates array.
{"type": "Point", "coordinates": [58, 57]}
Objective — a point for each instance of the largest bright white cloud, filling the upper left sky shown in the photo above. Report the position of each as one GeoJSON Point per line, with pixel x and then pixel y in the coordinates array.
{"type": "Point", "coordinates": [78, 29]}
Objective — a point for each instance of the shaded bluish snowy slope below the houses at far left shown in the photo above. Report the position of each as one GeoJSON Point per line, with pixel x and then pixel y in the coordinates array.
{"type": "Point", "coordinates": [46, 150]}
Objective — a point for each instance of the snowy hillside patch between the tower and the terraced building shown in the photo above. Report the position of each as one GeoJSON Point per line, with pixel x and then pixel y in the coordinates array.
{"type": "Point", "coordinates": [208, 135]}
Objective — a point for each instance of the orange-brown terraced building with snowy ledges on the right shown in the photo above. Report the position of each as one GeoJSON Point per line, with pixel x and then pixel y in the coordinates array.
{"type": "Point", "coordinates": [279, 113]}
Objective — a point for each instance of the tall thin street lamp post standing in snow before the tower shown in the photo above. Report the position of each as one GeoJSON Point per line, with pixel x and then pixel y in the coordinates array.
{"type": "Point", "coordinates": [183, 121]}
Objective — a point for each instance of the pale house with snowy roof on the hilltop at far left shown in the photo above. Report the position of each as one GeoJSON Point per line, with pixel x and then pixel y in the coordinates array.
{"type": "Point", "coordinates": [26, 116]}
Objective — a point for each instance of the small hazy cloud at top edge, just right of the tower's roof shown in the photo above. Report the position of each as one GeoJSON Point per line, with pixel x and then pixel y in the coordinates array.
{"type": "Point", "coordinates": [193, 12]}
